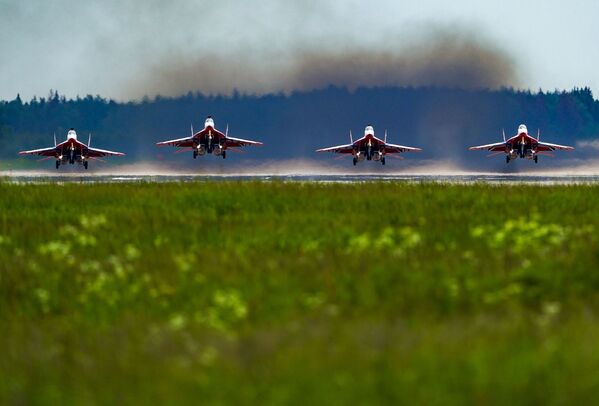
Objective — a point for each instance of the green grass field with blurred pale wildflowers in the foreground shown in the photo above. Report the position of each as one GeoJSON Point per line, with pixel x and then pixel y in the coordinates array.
{"type": "Point", "coordinates": [290, 293]}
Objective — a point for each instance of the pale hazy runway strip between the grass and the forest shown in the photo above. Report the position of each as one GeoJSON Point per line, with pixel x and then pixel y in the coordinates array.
{"type": "Point", "coordinates": [577, 172]}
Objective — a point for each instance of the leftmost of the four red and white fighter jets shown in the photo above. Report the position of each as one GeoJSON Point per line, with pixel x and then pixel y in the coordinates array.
{"type": "Point", "coordinates": [72, 151]}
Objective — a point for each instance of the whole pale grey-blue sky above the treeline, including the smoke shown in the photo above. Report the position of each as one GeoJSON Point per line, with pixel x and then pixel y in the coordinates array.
{"type": "Point", "coordinates": [125, 50]}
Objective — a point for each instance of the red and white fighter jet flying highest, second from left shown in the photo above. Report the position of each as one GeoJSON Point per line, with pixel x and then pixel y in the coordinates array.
{"type": "Point", "coordinates": [209, 141]}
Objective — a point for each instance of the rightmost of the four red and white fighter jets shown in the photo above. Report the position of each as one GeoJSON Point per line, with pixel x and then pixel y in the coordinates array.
{"type": "Point", "coordinates": [522, 145]}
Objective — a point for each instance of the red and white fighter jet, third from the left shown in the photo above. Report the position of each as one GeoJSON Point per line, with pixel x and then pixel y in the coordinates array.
{"type": "Point", "coordinates": [369, 147]}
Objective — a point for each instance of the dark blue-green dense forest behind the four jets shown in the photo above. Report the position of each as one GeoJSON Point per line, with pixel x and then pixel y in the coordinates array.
{"type": "Point", "coordinates": [442, 121]}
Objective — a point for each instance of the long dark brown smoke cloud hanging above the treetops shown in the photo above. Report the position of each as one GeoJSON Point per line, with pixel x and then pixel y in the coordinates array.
{"type": "Point", "coordinates": [442, 57]}
